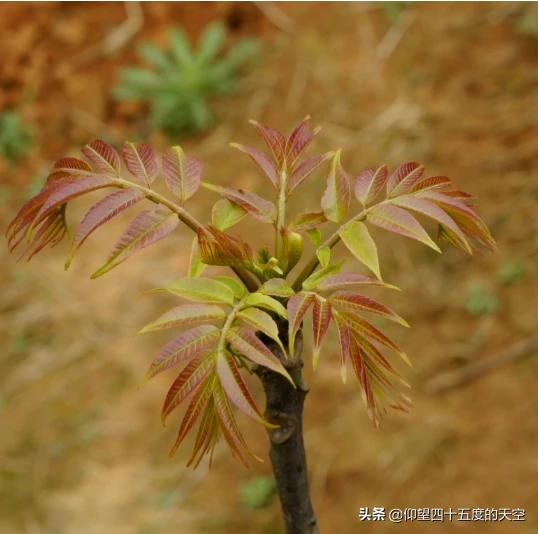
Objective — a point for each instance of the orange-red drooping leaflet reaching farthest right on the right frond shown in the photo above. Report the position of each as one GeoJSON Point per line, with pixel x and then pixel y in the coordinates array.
{"type": "Point", "coordinates": [465, 216]}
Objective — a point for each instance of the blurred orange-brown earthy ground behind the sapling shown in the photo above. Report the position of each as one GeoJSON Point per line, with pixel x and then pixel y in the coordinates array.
{"type": "Point", "coordinates": [451, 85]}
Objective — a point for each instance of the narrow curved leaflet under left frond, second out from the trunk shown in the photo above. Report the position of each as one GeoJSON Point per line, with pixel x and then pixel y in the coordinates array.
{"type": "Point", "coordinates": [102, 212]}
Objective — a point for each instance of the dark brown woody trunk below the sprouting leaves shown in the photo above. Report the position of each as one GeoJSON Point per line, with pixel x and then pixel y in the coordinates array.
{"type": "Point", "coordinates": [284, 407]}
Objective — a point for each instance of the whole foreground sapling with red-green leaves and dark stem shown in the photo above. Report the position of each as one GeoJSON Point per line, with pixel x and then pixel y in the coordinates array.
{"type": "Point", "coordinates": [253, 324]}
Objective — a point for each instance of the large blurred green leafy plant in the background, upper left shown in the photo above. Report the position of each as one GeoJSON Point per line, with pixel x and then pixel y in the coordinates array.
{"type": "Point", "coordinates": [178, 87]}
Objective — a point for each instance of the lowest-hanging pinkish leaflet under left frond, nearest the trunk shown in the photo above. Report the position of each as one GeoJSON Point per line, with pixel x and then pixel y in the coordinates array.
{"type": "Point", "coordinates": [146, 228]}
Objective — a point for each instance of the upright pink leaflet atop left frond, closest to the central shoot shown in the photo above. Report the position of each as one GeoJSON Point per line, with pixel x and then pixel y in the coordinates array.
{"type": "Point", "coordinates": [181, 172]}
